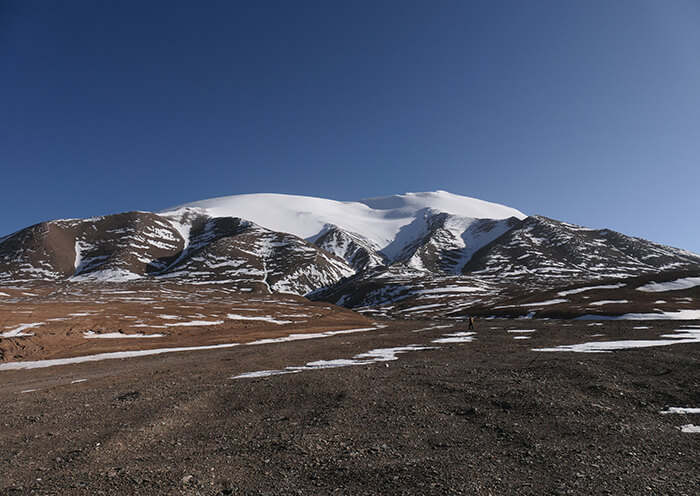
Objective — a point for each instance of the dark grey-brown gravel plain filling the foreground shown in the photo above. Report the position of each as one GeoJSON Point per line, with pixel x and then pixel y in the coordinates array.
{"type": "Point", "coordinates": [483, 417]}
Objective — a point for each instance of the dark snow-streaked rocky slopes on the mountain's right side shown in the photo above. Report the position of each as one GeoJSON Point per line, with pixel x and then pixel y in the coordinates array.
{"type": "Point", "coordinates": [537, 267]}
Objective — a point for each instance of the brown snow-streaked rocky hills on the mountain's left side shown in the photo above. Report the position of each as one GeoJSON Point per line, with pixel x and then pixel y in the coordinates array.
{"type": "Point", "coordinates": [135, 245]}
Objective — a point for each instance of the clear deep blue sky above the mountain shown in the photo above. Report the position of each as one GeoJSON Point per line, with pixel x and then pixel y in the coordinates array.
{"type": "Point", "coordinates": [585, 111]}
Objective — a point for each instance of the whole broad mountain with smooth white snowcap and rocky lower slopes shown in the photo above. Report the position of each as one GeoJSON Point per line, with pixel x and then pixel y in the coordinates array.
{"type": "Point", "coordinates": [414, 255]}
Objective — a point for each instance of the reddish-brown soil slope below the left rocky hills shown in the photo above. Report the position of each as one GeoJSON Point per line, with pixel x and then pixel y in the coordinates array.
{"type": "Point", "coordinates": [183, 315]}
